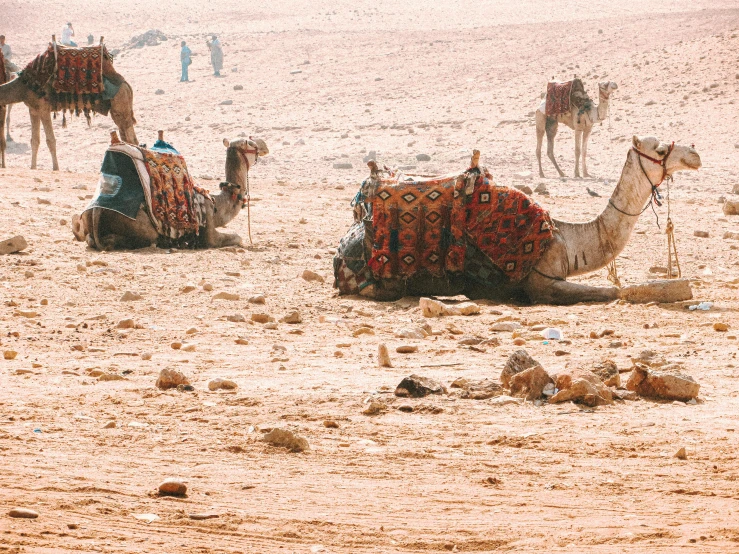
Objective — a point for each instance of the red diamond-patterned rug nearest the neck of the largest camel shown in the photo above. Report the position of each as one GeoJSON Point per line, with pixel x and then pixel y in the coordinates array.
{"type": "Point", "coordinates": [508, 227]}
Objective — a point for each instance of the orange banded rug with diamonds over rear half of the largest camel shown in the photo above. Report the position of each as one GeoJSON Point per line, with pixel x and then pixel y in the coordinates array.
{"type": "Point", "coordinates": [418, 226]}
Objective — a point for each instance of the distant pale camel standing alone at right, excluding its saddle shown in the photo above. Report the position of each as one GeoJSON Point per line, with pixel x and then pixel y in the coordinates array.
{"type": "Point", "coordinates": [581, 123]}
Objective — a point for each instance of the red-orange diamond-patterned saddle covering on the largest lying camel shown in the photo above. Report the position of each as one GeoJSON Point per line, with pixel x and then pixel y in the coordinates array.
{"type": "Point", "coordinates": [415, 224]}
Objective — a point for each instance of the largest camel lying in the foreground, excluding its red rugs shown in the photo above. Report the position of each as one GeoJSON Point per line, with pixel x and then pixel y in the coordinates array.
{"type": "Point", "coordinates": [576, 248]}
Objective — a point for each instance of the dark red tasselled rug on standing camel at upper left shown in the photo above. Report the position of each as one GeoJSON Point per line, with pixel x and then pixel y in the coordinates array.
{"type": "Point", "coordinates": [73, 79]}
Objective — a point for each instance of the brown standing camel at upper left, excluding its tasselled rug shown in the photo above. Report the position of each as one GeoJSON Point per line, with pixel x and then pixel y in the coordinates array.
{"type": "Point", "coordinates": [40, 109]}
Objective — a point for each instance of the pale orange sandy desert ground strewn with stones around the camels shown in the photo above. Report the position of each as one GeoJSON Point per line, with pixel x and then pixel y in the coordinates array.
{"type": "Point", "coordinates": [401, 79]}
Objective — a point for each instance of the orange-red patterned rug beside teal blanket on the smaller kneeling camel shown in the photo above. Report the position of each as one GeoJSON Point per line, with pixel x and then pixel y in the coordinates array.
{"type": "Point", "coordinates": [176, 202]}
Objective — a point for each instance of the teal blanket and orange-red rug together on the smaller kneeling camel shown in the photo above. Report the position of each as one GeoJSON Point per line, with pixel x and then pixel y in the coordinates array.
{"type": "Point", "coordinates": [156, 178]}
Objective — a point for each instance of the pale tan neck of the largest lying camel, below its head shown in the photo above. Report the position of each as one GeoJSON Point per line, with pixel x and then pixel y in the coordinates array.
{"type": "Point", "coordinates": [594, 244]}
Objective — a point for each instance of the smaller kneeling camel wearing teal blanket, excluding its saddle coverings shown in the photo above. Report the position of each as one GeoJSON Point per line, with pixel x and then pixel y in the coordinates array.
{"type": "Point", "coordinates": [109, 230]}
